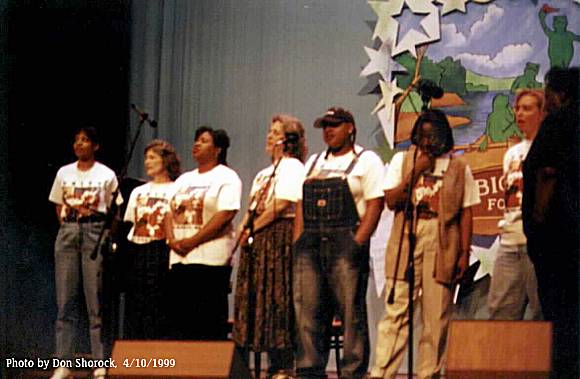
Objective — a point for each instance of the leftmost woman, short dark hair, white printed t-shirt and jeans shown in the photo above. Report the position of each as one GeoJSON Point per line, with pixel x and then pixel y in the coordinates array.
{"type": "Point", "coordinates": [82, 192]}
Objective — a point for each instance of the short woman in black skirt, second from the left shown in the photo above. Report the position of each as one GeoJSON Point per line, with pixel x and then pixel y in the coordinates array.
{"type": "Point", "coordinates": [148, 251]}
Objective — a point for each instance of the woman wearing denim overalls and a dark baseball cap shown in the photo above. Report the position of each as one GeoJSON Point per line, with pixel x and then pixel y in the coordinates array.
{"type": "Point", "coordinates": [341, 204]}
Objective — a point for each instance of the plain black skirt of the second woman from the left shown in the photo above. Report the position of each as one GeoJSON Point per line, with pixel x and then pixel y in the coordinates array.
{"type": "Point", "coordinates": [145, 314]}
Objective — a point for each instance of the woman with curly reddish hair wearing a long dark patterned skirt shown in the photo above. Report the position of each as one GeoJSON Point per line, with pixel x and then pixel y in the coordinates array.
{"type": "Point", "coordinates": [264, 314]}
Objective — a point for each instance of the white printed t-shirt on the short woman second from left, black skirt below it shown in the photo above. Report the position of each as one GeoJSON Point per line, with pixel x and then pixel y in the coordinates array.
{"type": "Point", "coordinates": [147, 207]}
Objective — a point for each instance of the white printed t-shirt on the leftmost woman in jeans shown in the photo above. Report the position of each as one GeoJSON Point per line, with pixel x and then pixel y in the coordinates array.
{"type": "Point", "coordinates": [82, 193]}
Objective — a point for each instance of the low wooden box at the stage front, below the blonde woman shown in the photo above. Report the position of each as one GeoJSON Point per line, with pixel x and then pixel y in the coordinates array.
{"type": "Point", "coordinates": [499, 349]}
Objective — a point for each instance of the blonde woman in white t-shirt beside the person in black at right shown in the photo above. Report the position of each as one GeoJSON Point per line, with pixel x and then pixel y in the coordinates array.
{"type": "Point", "coordinates": [514, 286]}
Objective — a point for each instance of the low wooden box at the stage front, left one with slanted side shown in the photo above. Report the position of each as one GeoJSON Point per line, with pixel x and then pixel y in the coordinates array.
{"type": "Point", "coordinates": [190, 359]}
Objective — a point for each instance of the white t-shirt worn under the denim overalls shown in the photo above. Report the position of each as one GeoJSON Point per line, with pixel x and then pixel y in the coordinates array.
{"type": "Point", "coordinates": [364, 180]}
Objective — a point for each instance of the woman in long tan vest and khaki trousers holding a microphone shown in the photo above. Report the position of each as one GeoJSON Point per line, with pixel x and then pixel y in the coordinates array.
{"type": "Point", "coordinates": [442, 193]}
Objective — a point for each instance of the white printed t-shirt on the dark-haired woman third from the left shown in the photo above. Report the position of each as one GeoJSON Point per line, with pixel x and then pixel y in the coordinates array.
{"type": "Point", "coordinates": [198, 197]}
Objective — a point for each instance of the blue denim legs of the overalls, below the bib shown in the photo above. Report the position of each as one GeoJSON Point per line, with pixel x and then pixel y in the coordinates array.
{"type": "Point", "coordinates": [330, 278]}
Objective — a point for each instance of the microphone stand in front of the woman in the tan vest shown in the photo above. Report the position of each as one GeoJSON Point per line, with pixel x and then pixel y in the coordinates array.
{"type": "Point", "coordinates": [409, 218]}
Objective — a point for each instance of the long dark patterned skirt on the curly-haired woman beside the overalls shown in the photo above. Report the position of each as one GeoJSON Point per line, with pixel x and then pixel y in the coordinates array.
{"type": "Point", "coordinates": [264, 312]}
